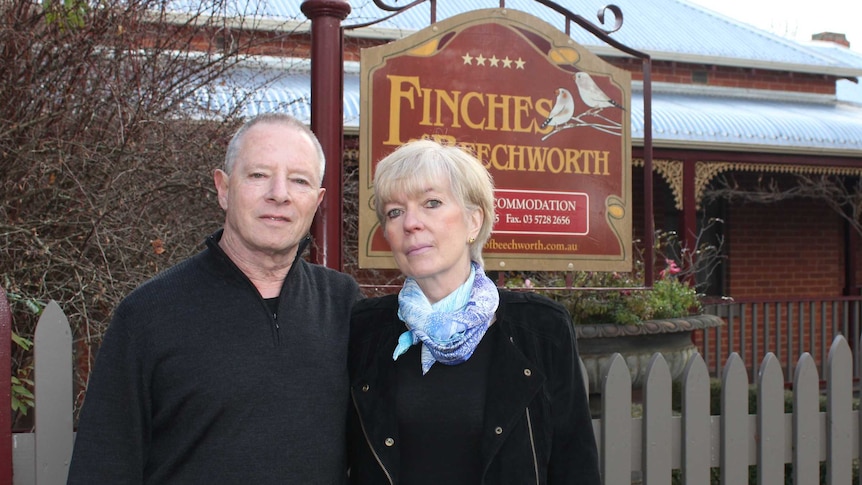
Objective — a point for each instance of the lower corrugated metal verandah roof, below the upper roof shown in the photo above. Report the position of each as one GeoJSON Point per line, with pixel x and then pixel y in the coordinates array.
{"type": "Point", "coordinates": [680, 119]}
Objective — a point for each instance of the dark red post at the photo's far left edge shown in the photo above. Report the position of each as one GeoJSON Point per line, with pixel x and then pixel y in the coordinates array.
{"type": "Point", "coordinates": [5, 389]}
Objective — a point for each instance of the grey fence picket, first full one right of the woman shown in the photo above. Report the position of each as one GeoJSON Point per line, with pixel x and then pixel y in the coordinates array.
{"type": "Point", "coordinates": [616, 450]}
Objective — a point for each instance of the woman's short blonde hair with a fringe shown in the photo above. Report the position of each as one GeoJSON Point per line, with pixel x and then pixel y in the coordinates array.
{"type": "Point", "coordinates": [409, 169]}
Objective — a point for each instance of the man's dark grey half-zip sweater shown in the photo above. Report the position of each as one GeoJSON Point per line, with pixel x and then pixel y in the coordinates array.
{"type": "Point", "coordinates": [197, 382]}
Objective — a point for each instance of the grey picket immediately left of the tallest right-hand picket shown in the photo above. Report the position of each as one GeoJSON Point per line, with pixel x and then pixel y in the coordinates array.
{"type": "Point", "coordinates": [806, 426]}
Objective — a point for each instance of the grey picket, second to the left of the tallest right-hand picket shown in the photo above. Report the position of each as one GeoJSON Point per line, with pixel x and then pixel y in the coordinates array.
{"type": "Point", "coordinates": [770, 421]}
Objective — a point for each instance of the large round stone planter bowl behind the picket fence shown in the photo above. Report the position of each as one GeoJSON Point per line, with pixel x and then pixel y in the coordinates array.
{"type": "Point", "coordinates": [638, 343]}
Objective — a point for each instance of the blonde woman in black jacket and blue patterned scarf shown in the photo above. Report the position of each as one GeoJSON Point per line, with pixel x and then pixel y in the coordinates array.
{"type": "Point", "coordinates": [453, 381]}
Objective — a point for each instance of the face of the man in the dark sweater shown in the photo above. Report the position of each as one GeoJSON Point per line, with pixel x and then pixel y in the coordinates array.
{"type": "Point", "coordinates": [271, 195]}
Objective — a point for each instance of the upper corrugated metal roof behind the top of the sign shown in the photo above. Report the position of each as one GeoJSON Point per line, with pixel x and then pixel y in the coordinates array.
{"type": "Point", "coordinates": [667, 29]}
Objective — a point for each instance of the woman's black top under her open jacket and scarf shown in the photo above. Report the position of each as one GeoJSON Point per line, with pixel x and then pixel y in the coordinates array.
{"type": "Point", "coordinates": [440, 417]}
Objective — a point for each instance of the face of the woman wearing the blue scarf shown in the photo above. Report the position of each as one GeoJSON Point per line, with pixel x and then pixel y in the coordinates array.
{"type": "Point", "coordinates": [428, 233]}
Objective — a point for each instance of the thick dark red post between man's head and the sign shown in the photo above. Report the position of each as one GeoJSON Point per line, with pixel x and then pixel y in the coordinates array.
{"type": "Point", "coordinates": [327, 85]}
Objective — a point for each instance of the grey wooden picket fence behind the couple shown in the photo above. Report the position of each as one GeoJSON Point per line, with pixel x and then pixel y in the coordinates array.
{"type": "Point", "coordinates": [643, 449]}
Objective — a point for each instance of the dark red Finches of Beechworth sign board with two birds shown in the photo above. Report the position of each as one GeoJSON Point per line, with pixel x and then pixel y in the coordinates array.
{"type": "Point", "coordinates": [547, 118]}
